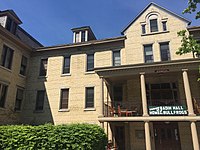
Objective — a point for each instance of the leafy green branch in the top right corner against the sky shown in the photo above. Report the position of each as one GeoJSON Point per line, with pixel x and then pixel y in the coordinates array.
{"type": "Point", "coordinates": [192, 7]}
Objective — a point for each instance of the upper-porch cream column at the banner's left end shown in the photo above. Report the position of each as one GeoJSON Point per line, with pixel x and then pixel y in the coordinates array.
{"type": "Point", "coordinates": [143, 93]}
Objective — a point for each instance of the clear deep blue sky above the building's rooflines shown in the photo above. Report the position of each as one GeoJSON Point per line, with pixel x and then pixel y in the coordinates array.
{"type": "Point", "coordinates": [51, 21]}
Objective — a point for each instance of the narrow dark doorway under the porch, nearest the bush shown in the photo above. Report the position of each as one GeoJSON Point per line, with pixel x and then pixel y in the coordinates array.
{"type": "Point", "coordinates": [120, 137]}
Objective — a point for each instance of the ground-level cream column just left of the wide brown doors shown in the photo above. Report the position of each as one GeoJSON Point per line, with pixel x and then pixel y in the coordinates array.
{"type": "Point", "coordinates": [147, 136]}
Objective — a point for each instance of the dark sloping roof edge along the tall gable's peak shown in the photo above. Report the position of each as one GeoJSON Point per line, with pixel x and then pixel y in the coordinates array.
{"type": "Point", "coordinates": [160, 7]}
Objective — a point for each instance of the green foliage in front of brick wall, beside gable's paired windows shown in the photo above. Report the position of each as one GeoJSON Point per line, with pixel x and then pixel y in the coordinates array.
{"type": "Point", "coordinates": [189, 44]}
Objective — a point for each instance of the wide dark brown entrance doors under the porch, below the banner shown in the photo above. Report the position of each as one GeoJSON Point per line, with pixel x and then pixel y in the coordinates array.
{"type": "Point", "coordinates": [166, 136]}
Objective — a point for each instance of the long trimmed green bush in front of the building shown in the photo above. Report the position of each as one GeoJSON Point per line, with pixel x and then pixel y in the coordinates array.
{"type": "Point", "coordinates": [50, 137]}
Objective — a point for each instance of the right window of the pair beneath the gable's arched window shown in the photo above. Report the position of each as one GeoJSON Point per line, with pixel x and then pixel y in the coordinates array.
{"type": "Point", "coordinates": [164, 51]}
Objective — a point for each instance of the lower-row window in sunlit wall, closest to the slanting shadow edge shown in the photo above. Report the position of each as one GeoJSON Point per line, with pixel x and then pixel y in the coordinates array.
{"type": "Point", "coordinates": [64, 99]}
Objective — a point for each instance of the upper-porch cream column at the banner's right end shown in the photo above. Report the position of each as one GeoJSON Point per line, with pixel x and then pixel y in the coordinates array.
{"type": "Point", "coordinates": [188, 92]}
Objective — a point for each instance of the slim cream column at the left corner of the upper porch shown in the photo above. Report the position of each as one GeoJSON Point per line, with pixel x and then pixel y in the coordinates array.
{"type": "Point", "coordinates": [101, 98]}
